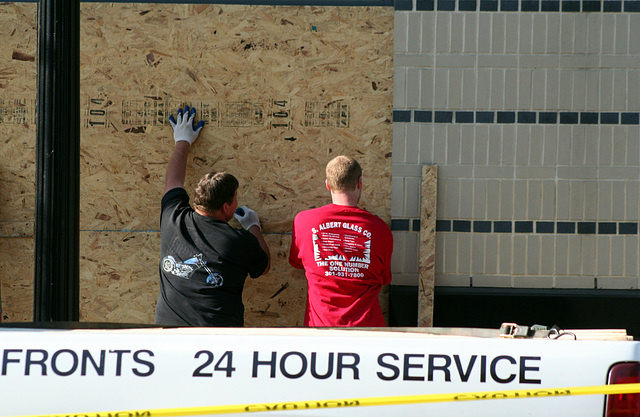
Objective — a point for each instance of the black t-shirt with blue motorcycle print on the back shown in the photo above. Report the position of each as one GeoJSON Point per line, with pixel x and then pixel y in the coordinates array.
{"type": "Point", "coordinates": [204, 263]}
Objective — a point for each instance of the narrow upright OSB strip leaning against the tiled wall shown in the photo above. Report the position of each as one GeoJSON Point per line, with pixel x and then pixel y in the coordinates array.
{"type": "Point", "coordinates": [426, 285]}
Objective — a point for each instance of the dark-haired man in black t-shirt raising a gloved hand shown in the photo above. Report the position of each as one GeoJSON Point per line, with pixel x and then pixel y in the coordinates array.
{"type": "Point", "coordinates": [204, 261]}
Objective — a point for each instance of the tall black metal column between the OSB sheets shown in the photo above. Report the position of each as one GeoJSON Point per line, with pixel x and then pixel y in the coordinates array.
{"type": "Point", "coordinates": [56, 296]}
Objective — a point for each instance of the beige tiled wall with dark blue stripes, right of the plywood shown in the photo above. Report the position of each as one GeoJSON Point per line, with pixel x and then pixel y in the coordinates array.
{"type": "Point", "coordinates": [531, 110]}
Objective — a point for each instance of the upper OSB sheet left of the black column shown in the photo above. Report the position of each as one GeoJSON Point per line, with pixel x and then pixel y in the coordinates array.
{"type": "Point", "coordinates": [18, 50]}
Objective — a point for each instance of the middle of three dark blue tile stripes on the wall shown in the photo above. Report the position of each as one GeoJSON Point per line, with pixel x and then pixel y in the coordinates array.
{"type": "Point", "coordinates": [520, 117]}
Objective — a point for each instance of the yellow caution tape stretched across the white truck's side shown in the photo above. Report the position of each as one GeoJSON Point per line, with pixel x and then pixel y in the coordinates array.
{"type": "Point", "coordinates": [361, 402]}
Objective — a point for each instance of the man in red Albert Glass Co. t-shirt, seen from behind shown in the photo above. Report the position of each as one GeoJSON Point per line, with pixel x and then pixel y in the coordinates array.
{"type": "Point", "coordinates": [345, 252]}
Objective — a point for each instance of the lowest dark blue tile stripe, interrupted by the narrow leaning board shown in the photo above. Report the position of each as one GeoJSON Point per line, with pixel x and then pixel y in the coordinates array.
{"type": "Point", "coordinates": [522, 226]}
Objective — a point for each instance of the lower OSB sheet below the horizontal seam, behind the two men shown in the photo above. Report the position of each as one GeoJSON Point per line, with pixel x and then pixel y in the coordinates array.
{"type": "Point", "coordinates": [111, 294]}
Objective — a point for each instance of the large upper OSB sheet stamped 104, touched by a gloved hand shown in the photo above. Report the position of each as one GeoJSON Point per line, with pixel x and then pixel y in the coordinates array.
{"type": "Point", "coordinates": [281, 89]}
